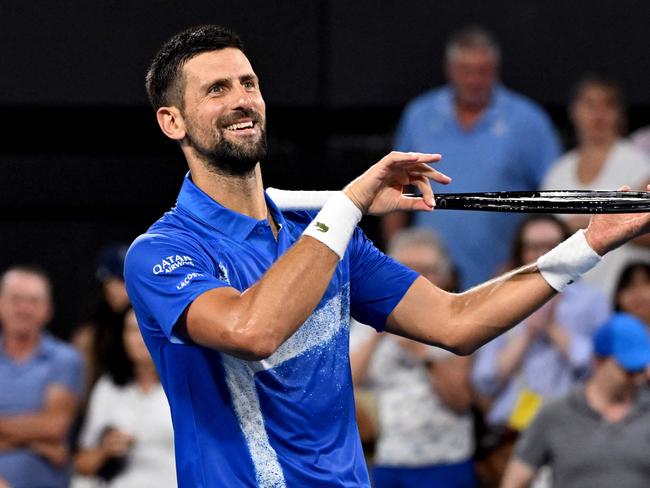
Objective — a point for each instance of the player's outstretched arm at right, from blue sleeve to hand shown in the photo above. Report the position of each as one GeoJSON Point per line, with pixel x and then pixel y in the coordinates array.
{"type": "Point", "coordinates": [463, 322]}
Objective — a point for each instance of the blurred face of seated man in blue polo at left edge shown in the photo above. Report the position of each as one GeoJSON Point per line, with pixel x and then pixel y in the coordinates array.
{"type": "Point", "coordinates": [25, 305]}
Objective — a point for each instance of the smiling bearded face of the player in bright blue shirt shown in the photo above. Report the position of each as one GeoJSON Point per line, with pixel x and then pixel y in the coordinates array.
{"type": "Point", "coordinates": [224, 112]}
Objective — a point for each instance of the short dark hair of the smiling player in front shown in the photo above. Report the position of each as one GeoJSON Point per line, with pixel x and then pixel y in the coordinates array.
{"type": "Point", "coordinates": [164, 79]}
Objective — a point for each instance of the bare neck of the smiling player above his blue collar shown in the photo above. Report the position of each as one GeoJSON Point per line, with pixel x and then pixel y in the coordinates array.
{"type": "Point", "coordinates": [243, 194]}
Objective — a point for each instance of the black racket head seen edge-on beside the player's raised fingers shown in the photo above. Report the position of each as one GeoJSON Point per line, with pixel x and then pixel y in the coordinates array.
{"type": "Point", "coordinates": [549, 201]}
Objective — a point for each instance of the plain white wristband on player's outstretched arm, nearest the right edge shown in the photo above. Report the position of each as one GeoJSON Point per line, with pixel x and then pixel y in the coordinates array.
{"type": "Point", "coordinates": [568, 261]}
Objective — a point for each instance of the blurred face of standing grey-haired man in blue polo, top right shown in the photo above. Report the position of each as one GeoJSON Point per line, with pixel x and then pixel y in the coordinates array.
{"type": "Point", "coordinates": [472, 73]}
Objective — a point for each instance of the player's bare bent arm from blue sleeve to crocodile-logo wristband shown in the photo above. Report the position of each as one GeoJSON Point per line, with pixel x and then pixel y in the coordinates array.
{"type": "Point", "coordinates": [253, 324]}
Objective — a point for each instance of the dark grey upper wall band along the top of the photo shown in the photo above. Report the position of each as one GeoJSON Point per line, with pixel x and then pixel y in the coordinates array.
{"type": "Point", "coordinates": [334, 53]}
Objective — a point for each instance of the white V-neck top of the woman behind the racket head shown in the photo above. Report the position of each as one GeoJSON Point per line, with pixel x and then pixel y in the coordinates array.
{"type": "Point", "coordinates": [625, 165]}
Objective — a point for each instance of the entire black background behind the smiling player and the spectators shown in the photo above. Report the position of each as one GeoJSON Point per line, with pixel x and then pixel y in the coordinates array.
{"type": "Point", "coordinates": [82, 160]}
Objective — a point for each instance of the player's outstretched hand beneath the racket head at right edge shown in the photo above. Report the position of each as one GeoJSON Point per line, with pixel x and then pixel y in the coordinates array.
{"type": "Point", "coordinates": [609, 231]}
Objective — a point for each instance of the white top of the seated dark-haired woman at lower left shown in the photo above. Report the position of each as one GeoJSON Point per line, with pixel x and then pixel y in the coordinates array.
{"type": "Point", "coordinates": [144, 415]}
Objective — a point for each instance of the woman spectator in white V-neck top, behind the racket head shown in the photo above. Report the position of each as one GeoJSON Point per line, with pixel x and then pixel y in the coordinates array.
{"type": "Point", "coordinates": [601, 161]}
